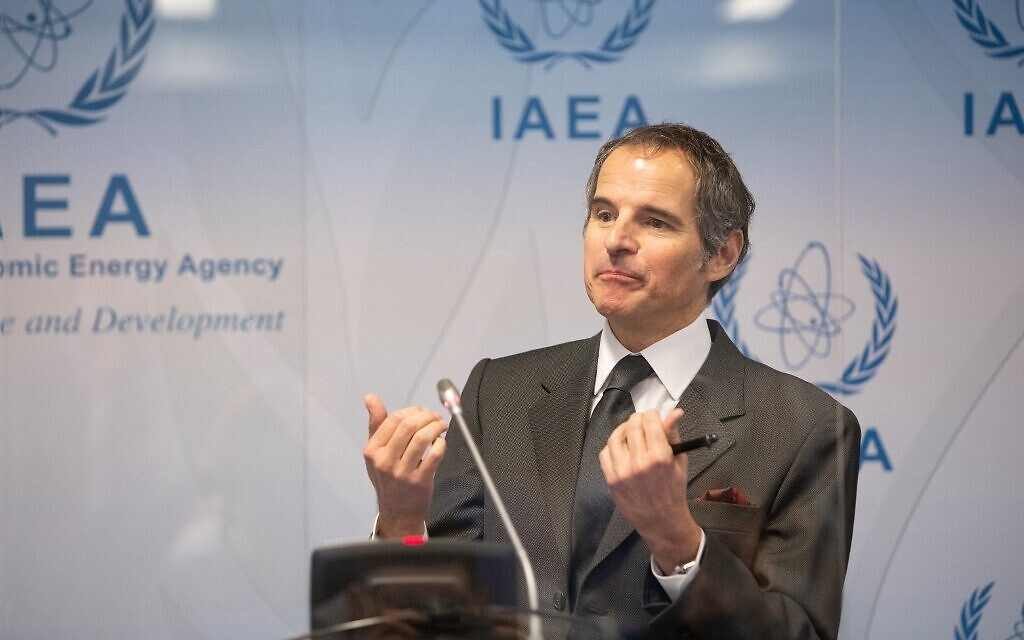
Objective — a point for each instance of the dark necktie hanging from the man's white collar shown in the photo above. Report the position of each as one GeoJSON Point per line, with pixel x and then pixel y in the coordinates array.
{"type": "Point", "coordinates": [593, 502]}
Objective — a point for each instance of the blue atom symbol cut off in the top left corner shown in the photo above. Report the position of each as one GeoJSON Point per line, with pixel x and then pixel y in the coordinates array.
{"type": "Point", "coordinates": [33, 34]}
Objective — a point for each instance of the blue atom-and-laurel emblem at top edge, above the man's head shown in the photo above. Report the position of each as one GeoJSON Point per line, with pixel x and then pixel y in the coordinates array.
{"type": "Point", "coordinates": [565, 25]}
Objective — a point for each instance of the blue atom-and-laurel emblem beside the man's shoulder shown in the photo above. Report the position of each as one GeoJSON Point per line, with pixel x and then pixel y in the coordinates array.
{"type": "Point", "coordinates": [806, 315]}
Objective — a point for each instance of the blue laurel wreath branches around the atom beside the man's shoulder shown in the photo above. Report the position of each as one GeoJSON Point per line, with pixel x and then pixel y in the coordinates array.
{"type": "Point", "coordinates": [864, 367]}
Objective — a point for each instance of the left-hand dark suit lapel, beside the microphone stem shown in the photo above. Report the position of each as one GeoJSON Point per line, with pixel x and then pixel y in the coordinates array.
{"type": "Point", "coordinates": [559, 422]}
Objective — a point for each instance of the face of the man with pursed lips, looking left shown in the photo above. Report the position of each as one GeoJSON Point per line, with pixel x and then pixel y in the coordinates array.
{"type": "Point", "coordinates": [643, 252]}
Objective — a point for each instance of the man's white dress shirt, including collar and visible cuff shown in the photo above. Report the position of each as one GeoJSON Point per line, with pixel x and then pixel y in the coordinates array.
{"type": "Point", "coordinates": [676, 361]}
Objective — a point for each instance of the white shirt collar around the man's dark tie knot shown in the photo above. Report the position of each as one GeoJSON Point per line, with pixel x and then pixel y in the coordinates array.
{"type": "Point", "coordinates": [675, 359]}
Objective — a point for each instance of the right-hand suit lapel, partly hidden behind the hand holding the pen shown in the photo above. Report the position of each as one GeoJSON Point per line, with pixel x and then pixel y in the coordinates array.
{"type": "Point", "coordinates": [716, 394]}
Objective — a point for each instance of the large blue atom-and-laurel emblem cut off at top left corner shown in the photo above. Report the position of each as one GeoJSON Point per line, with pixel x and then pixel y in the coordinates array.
{"type": "Point", "coordinates": [32, 37]}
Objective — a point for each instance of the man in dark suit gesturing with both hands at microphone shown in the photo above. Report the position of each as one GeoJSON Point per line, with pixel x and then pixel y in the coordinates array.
{"type": "Point", "coordinates": [749, 539]}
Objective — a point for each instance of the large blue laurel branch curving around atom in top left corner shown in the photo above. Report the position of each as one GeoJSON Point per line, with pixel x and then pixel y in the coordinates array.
{"type": "Point", "coordinates": [108, 84]}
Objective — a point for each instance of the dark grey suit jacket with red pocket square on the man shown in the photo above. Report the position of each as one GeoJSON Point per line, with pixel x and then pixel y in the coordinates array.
{"type": "Point", "coordinates": [771, 571]}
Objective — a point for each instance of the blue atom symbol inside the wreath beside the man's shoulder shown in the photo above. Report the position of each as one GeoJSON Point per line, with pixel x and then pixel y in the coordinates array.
{"type": "Point", "coordinates": [805, 317]}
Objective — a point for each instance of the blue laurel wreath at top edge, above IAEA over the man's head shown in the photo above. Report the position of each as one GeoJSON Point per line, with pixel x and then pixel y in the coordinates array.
{"type": "Point", "coordinates": [621, 38]}
